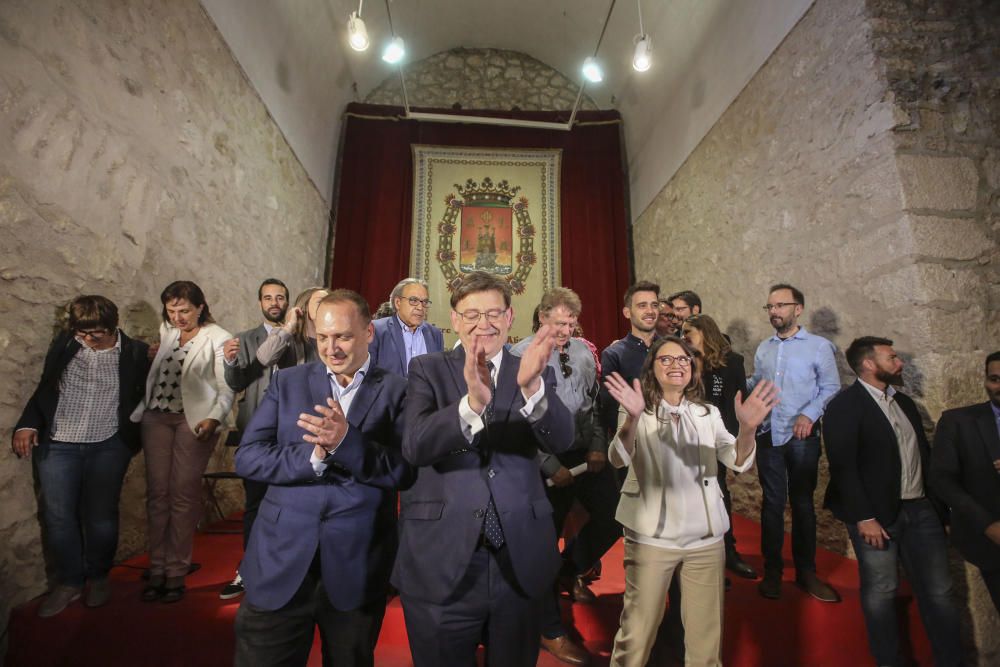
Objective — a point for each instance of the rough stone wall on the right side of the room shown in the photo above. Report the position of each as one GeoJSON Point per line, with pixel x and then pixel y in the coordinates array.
{"type": "Point", "coordinates": [860, 163]}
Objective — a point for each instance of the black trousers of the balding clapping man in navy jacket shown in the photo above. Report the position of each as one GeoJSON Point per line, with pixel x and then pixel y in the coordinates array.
{"type": "Point", "coordinates": [285, 636]}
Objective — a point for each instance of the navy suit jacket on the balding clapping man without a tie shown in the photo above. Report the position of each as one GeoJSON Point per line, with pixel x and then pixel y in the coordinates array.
{"type": "Point", "coordinates": [348, 513]}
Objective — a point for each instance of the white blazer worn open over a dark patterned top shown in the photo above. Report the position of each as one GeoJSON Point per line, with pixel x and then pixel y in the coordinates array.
{"type": "Point", "coordinates": [203, 376]}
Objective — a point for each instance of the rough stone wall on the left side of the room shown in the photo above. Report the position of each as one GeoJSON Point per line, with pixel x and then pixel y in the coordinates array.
{"type": "Point", "coordinates": [133, 152]}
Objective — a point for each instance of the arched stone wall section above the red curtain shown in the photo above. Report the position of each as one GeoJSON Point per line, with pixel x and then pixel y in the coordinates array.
{"type": "Point", "coordinates": [481, 79]}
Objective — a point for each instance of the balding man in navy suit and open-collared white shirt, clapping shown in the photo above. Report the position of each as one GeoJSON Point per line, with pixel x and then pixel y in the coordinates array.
{"type": "Point", "coordinates": [327, 440]}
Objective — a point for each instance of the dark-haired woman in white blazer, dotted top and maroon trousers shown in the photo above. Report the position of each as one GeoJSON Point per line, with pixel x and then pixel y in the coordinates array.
{"type": "Point", "coordinates": [187, 400]}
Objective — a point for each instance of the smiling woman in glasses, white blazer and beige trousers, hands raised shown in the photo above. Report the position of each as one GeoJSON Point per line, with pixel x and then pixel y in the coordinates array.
{"type": "Point", "coordinates": [671, 505]}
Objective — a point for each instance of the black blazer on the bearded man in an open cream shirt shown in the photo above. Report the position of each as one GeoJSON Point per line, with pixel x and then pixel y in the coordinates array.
{"type": "Point", "coordinates": [865, 466]}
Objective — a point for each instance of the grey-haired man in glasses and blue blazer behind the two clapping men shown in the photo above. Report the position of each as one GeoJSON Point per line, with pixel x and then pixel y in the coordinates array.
{"type": "Point", "coordinates": [406, 333]}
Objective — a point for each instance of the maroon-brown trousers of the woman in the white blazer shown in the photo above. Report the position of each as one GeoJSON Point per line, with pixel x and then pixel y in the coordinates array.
{"type": "Point", "coordinates": [175, 461]}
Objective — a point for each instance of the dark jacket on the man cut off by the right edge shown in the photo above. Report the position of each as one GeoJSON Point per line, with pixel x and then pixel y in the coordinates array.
{"type": "Point", "coordinates": [965, 446]}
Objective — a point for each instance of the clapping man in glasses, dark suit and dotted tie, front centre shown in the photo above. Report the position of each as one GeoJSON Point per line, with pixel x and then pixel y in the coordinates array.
{"type": "Point", "coordinates": [477, 540]}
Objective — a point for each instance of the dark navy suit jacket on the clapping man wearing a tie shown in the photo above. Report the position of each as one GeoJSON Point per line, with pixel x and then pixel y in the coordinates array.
{"type": "Point", "coordinates": [442, 515]}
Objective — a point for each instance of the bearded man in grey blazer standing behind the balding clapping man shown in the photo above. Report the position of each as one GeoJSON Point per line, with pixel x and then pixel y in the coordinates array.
{"type": "Point", "coordinates": [247, 373]}
